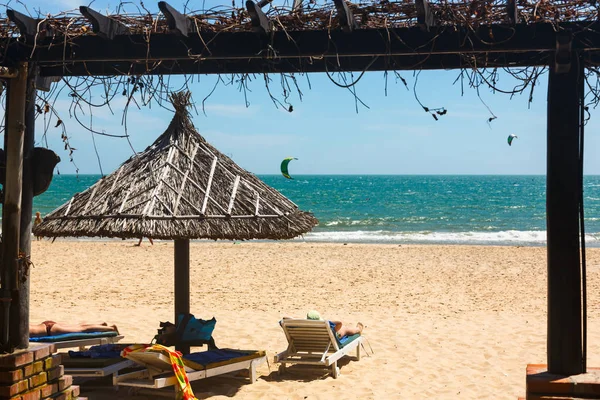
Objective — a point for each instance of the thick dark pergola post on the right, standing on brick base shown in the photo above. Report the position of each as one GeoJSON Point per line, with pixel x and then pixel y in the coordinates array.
{"type": "Point", "coordinates": [562, 215]}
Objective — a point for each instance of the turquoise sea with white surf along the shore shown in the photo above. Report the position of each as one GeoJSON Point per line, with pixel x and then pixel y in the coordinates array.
{"type": "Point", "coordinates": [424, 209]}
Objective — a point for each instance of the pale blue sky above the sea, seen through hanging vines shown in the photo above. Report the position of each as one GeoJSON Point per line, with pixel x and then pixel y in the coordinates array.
{"type": "Point", "coordinates": [393, 136]}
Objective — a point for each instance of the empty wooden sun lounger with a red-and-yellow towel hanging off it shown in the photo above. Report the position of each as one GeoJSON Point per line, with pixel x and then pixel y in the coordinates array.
{"type": "Point", "coordinates": [158, 371]}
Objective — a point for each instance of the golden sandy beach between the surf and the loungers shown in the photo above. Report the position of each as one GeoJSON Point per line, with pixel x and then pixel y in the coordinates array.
{"type": "Point", "coordinates": [441, 321]}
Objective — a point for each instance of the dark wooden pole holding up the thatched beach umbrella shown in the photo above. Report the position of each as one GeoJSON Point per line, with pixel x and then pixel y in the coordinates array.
{"type": "Point", "coordinates": [182, 283]}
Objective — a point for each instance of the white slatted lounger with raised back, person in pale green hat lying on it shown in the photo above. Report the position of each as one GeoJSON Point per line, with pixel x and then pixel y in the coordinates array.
{"type": "Point", "coordinates": [314, 342]}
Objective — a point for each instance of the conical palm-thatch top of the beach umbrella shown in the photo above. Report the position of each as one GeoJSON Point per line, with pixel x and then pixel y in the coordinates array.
{"type": "Point", "coordinates": [180, 187]}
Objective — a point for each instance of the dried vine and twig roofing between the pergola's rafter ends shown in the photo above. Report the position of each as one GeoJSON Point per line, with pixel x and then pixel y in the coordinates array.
{"type": "Point", "coordinates": [322, 15]}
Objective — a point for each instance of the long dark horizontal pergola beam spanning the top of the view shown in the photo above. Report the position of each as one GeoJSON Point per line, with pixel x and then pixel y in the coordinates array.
{"type": "Point", "coordinates": [309, 51]}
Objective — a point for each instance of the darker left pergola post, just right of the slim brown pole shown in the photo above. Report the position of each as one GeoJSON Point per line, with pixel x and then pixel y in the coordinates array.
{"type": "Point", "coordinates": [19, 309]}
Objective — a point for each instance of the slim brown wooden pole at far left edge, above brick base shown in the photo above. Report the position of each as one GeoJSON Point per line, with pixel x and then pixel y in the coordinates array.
{"type": "Point", "coordinates": [11, 211]}
